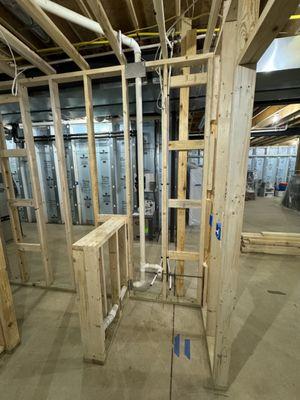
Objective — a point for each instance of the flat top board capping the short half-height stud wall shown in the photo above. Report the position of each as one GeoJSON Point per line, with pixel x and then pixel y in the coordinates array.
{"type": "Point", "coordinates": [100, 235]}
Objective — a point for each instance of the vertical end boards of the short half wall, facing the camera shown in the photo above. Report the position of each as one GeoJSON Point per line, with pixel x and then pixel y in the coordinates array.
{"type": "Point", "coordinates": [89, 300]}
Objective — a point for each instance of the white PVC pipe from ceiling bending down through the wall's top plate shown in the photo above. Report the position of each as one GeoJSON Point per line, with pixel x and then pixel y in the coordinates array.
{"type": "Point", "coordinates": [94, 26]}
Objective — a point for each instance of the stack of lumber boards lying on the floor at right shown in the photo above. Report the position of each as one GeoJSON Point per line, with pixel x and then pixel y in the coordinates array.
{"type": "Point", "coordinates": [271, 243]}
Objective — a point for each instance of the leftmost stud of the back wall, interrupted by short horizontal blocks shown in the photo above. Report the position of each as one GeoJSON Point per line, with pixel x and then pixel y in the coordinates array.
{"type": "Point", "coordinates": [13, 212]}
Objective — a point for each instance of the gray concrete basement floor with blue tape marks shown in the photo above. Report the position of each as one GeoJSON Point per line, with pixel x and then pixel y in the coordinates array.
{"type": "Point", "coordinates": [141, 365]}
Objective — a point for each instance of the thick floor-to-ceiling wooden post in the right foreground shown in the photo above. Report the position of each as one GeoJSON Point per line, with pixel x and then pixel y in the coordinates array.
{"type": "Point", "coordinates": [237, 126]}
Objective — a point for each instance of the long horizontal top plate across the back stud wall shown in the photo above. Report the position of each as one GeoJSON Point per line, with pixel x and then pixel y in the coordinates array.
{"type": "Point", "coordinates": [107, 72]}
